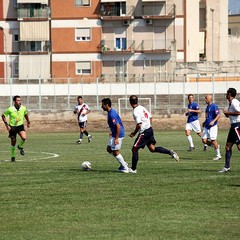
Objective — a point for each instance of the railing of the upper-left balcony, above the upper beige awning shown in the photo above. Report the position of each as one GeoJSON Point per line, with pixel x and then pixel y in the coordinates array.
{"type": "Point", "coordinates": [33, 13]}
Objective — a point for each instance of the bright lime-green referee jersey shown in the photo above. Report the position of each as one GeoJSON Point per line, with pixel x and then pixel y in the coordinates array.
{"type": "Point", "coordinates": [16, 117]}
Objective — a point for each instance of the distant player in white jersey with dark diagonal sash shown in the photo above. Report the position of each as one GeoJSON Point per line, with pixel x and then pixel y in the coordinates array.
{"type": "Point", "coordinates": [82, 109]}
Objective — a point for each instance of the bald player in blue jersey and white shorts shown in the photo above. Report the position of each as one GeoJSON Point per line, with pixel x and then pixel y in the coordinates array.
{"type": "Point", "coordinates": [210, 131]}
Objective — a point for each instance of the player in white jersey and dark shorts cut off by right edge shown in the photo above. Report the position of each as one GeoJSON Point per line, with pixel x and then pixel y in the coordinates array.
{"type": "Point", "coordinates": [233, 113]}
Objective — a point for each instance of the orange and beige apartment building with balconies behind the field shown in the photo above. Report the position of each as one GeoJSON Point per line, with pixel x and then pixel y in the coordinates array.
{"type": "Point", "coordinates": [120, 40]}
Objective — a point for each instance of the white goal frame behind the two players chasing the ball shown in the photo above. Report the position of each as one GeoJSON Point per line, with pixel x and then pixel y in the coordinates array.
{"type": "Point", "coordinates": [123, 104]}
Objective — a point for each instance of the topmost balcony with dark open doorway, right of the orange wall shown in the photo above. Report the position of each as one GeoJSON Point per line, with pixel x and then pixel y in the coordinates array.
{"type": "Point", "coordinates": [116, 11]}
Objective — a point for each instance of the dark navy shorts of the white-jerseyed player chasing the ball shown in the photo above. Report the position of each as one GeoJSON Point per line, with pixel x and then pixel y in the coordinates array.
{"type": "Point", "coordinates": [145, 138]}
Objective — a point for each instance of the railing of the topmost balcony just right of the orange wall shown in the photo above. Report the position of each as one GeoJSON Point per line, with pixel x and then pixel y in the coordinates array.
{"type": "Point", "coordinates": [111, 12]}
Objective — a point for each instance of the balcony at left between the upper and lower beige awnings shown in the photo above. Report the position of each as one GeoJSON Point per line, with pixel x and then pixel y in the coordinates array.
{"type": "Point", "coordinates": [33, 47]}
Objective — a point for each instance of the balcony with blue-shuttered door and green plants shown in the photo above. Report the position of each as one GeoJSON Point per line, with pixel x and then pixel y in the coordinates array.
{"type": "Point", "coordinates": [120, 45]}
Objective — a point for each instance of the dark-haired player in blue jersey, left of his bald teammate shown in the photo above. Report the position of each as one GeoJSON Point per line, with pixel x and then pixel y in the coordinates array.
{"type": "Point", "coordinates": [193, 122]}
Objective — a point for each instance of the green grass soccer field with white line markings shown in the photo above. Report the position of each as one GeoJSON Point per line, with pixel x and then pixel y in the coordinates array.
{"type": "Point", "coordinates": [46, 195]}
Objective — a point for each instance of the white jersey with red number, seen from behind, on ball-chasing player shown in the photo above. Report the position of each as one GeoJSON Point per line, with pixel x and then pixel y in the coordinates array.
{"type": "Point", "coordinates": [141, 115]}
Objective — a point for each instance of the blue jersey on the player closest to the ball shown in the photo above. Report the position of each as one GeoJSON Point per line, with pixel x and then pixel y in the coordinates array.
{"type": "Point", "coordinates": [113, 119]}
